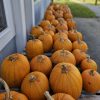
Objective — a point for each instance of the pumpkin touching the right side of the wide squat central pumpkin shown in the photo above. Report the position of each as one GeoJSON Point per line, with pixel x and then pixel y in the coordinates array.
{"type": "Point", "coordinates": [79, 55]}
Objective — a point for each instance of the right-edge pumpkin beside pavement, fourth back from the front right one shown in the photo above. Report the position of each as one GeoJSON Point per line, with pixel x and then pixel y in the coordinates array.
{"type": "Point", "coordinates": [80, 45]}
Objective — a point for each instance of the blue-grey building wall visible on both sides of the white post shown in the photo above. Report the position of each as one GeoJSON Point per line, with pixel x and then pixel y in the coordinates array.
{"type": "Point", "coordinates": [40, 8]}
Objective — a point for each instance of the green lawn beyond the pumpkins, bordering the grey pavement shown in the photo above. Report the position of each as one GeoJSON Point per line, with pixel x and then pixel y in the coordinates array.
{"type": "Point", "coordinates": [78, 10]}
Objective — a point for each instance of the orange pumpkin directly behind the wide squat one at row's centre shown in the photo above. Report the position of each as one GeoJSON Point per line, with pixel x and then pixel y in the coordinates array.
{"type": "Point", "coordinates": [62, 43]}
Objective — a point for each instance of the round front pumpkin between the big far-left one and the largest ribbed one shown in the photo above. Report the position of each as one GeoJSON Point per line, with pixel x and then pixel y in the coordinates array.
{"type": "Point", "coordinates": [34, 85]}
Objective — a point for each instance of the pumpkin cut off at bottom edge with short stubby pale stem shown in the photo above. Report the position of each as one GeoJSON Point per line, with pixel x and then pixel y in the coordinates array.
{"type": "Point", "coordinates": [58, 96]}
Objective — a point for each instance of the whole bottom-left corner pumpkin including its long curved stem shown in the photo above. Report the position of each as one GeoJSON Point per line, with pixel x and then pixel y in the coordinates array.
{"type": "Point", "coordinates": [11, 95]}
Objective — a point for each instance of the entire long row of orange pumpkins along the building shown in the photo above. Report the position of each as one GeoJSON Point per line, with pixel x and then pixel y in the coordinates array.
{"type": "Point", "coordinates": [57, 34]}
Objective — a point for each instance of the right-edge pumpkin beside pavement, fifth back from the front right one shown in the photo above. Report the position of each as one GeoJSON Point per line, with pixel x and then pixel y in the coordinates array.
{"type": "Point", "coordinates": [74, 35]}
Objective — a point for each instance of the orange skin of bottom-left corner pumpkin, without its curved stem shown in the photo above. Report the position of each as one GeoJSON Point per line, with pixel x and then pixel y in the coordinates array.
{"type": "Point", "coordinates": [15, 96]}
